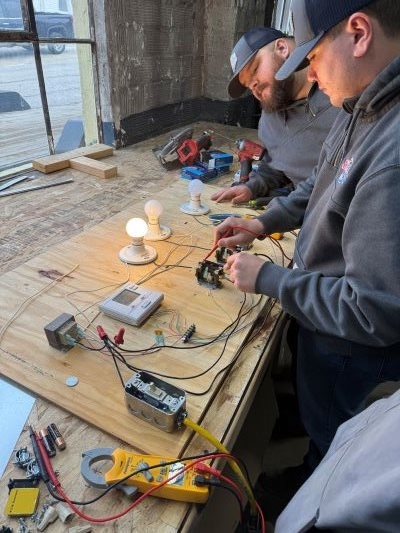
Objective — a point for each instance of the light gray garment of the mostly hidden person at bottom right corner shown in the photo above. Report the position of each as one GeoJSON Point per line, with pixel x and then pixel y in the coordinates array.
{"type": "Point", "coordinates": [357, 485]}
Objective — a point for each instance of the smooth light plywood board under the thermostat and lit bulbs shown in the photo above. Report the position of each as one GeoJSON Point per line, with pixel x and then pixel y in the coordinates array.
{"type": "Point", "coordinates": [27, 358]}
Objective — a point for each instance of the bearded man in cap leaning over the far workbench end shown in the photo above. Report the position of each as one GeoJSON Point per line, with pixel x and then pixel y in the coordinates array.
{"type": "Point", "coordinates": [296, 117]}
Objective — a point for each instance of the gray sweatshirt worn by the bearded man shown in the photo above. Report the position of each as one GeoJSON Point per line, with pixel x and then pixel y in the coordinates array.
{"type": "Point", "coordinates": [293, 139]}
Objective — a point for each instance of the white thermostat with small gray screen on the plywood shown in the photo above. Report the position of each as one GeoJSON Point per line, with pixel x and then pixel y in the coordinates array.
{"type": "Point", "coordinates": [131, 304]}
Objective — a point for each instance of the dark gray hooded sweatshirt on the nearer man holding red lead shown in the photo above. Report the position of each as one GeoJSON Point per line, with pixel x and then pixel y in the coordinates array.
{"type": "Point", "coordinates": [347, 280]}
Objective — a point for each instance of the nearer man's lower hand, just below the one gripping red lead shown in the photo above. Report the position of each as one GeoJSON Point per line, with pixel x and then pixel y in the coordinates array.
{"type": "Point", "coordinates": [243, 270]}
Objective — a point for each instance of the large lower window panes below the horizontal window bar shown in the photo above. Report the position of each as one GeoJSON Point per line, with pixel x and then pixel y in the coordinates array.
{"type": "Point", "coordinates": [70, 98]}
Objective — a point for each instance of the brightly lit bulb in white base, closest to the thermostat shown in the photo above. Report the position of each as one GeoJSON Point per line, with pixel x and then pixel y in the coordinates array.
{"type": "Point", "coordinates": [137, 253]}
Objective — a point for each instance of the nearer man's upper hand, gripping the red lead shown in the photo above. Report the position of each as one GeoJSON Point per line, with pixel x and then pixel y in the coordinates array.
{"type": "Point", "coordinates": [237, 231]}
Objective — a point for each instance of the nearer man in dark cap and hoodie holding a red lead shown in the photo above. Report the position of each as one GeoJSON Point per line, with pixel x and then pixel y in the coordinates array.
{"type": "Point", "coordinates": [344, 289]}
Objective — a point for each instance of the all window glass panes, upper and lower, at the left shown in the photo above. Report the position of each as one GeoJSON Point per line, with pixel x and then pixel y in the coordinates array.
{"type": "Point", "coordinates": [68, 85]}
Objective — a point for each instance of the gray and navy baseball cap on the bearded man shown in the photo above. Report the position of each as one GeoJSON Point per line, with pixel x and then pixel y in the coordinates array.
{"type": "Point", "coordinates": [245, 49]}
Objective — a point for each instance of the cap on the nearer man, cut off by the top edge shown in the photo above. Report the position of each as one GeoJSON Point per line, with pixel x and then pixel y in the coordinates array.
{"type": "Point", "coordinates": [311, 20]}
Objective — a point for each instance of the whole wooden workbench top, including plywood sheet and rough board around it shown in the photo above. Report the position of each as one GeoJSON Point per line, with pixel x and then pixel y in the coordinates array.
{"type": "Point", "coordinates": [91, 215]}
